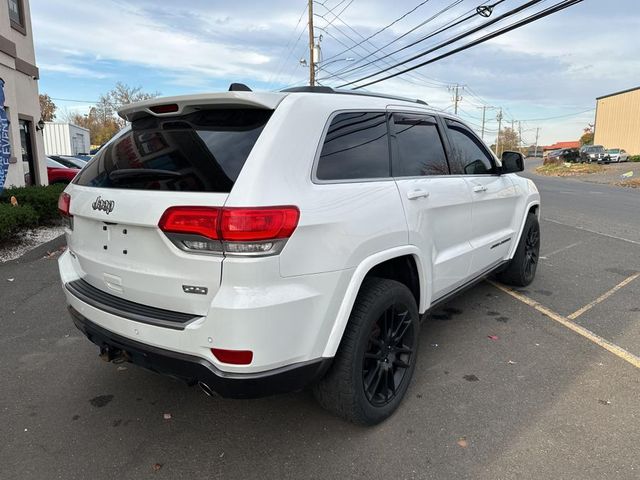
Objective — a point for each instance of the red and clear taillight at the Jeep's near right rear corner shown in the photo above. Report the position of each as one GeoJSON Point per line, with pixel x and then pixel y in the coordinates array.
{"type": "Point", "coordinates": [254, 231]}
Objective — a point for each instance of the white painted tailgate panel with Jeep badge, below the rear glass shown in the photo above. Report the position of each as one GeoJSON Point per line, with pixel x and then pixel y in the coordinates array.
{"type": "Point", "coordinates": [123, 252]}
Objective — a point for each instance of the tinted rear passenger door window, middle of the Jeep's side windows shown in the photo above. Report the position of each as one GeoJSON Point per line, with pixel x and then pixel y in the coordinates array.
{"type": "Point", "coordinates": [420, 149]}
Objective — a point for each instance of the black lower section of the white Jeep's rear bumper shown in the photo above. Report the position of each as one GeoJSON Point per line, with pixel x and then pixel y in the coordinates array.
{"type": "Point", "coordinates": [192, 369]}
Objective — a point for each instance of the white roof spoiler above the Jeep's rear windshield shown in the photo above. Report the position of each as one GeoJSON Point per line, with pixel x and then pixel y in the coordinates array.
{"type": "Point", "coordinates": [169, 106]}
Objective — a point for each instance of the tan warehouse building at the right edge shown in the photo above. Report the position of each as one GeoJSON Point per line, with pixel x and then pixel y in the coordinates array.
{"type": "Point", "coordinates": [618, 121]}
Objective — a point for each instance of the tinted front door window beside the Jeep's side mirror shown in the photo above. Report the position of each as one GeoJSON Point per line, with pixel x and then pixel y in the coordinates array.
{"type": "Point", "coordinates": [468, 155]}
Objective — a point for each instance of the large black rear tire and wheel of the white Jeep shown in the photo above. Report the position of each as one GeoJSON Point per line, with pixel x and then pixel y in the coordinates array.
{"type": "Point", "coordinates": [381, 305]}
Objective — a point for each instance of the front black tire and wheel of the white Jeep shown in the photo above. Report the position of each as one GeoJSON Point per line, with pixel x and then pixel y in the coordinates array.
{"type": "Point", "coordinates": [521, 270]}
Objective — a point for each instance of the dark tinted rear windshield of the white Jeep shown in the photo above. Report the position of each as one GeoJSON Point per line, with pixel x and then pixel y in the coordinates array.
{"type": "Point", "coordinates": [199, 152]}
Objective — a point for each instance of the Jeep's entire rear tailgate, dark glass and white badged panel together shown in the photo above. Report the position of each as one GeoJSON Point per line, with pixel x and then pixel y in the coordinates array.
{"type": "Point", "coordinates": [190, 158]}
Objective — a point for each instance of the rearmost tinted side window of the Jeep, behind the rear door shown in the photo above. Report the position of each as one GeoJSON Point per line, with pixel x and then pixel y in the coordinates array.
{"type": "Point", "coordinates": [356, 146]}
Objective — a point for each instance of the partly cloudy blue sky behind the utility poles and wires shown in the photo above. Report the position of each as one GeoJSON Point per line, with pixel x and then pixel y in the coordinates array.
{"type": "Point", "coordinates": [551, 68]}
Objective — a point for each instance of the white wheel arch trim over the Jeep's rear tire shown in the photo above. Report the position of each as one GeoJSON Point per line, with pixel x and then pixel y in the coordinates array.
{"type": "Point", "coordinates": [380, 264]}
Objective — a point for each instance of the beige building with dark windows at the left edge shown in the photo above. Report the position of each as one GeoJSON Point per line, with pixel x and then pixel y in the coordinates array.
{"type": "Point", "coordinates": [20, 76]}
